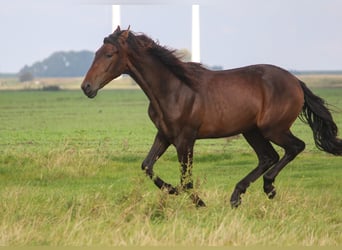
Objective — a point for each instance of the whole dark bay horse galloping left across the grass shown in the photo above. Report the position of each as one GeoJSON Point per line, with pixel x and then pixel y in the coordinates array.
{"type": "Point", "coordinates": [189, 102]}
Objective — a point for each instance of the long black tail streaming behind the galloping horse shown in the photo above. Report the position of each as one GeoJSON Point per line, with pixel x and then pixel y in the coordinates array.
{"type": "Point", "coordinates": [318, 116]}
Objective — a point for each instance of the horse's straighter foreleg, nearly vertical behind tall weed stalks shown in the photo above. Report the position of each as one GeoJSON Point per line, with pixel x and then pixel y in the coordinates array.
{"type": "Point", "coordinates": [185, 157]}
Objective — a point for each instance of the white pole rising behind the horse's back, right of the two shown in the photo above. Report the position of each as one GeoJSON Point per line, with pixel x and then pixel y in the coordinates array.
{"type": "Point", "coordinates": [195, 53]}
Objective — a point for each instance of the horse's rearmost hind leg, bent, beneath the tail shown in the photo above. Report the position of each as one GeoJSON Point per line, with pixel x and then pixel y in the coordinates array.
{"type": "Point", "coordinates": [292, 146]}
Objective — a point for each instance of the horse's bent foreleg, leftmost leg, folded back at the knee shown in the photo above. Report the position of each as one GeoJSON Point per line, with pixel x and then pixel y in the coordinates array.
{"type": "Point", "coordinates": [159, 146]}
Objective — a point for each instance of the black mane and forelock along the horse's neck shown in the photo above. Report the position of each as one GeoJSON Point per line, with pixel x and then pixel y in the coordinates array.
{"type": "Point", "coordinates": [187, 72]}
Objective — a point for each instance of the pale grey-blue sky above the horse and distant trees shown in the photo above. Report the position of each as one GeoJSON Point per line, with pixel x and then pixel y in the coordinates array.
{"type": "Point", "coordinates": [293, 34]}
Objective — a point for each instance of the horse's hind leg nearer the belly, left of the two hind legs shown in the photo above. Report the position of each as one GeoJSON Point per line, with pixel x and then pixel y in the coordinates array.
{"type": "Point", "coordinates": [267, 158]}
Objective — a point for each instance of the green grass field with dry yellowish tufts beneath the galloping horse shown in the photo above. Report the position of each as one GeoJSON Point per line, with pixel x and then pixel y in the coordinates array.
{"type": "Point", "coordinates": [70, 176]}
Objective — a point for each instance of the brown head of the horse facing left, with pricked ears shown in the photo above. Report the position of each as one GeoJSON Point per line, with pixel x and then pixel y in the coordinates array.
{"type": "Point", "coordinates": [110, 62]}
